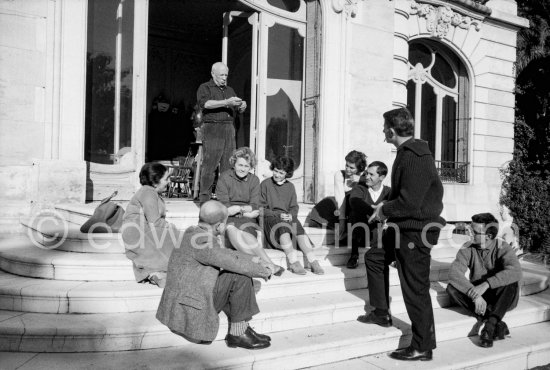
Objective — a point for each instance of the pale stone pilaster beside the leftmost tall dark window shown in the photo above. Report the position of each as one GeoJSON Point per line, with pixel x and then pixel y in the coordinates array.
{"type": "Point", "coordinates": [60, 175]}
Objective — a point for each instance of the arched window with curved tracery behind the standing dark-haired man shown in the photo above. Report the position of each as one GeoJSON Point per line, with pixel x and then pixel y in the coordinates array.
{"type": "Point", "coordinates": [438, 97]}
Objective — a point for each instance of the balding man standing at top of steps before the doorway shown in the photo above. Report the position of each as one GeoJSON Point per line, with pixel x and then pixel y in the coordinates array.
{"type": "Point", "coordinates": [220, 105]}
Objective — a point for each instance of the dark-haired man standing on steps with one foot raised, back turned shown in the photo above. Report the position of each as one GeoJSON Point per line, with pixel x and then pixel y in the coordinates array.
{"type": "Point", "coordinates": [413, 213]}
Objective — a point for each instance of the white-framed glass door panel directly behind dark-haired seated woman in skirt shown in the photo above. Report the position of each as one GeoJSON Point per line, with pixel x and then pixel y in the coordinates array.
{"type": "Point", "coordinates": [281, 90]}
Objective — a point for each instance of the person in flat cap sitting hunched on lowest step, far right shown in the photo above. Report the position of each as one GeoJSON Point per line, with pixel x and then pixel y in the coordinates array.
{"type": "Point", "coordinates": [492, 287]}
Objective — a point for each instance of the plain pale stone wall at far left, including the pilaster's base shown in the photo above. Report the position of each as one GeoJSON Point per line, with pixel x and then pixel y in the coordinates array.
{"type": "Point", "coordinates": [33, 175]}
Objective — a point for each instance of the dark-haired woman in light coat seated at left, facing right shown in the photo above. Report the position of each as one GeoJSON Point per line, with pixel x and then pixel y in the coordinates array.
{"type": "Point", "coordinates": [148, 238]}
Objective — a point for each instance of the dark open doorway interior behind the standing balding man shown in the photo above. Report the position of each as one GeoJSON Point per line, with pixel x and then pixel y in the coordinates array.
{"type": "Point", "coordinates": [185, 39]}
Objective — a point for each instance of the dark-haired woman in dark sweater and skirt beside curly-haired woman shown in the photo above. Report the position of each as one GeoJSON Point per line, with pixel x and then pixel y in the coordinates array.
{"type": "Point", "coordinates": [280, 215]}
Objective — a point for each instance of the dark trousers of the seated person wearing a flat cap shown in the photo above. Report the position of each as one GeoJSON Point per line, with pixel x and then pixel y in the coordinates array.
{"type": "Point", "coordinates": [499, 300]}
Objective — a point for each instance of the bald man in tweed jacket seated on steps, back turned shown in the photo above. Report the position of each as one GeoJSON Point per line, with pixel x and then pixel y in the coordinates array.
{"type": "Point", "coordinates": [204, 279]}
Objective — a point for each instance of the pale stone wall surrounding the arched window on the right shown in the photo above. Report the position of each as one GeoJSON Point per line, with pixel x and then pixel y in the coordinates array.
{"type": "Point", "coordinates": [376, 80]}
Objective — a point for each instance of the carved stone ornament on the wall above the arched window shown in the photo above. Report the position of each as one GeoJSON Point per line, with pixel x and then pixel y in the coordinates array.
{"type": "Point", "coordinates": [440, 19]}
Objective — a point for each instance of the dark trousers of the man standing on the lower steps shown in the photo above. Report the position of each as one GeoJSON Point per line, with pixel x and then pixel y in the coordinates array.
{"type": "Point", "coordinates": [413, 265]}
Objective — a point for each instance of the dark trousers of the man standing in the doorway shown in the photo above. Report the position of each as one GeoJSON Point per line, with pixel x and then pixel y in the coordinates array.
{"type": "Point", "coordinates": [218, 145]}
